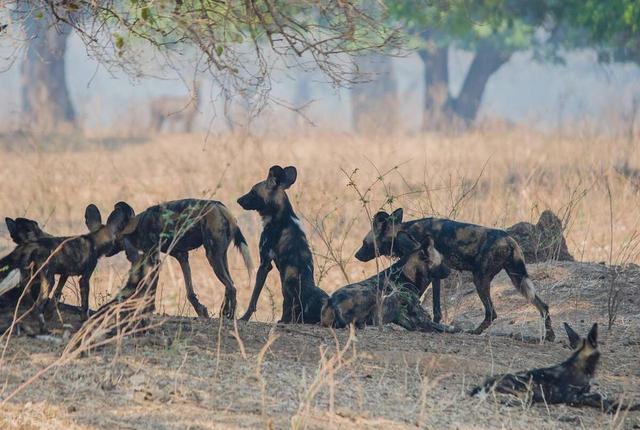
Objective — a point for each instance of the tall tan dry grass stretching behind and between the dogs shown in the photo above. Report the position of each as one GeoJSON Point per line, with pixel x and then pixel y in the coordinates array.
{"type": "Point", "coordinates": [494, 177]}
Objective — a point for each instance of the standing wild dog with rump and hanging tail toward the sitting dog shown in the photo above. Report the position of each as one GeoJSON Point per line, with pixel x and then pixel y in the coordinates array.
{"type": "Point", "coordinates": [181, 226]}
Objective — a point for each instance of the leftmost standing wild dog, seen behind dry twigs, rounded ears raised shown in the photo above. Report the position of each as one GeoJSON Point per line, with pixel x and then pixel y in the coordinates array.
{"type": "Point", "coordinates": [65, 256]}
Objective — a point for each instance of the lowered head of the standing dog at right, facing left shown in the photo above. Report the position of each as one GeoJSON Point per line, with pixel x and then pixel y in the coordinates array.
{"type": "Point", "coordinates": [382, 237]}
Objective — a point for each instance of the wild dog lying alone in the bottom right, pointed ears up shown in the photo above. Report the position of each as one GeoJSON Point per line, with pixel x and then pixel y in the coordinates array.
{"type": "Point", "coordinates": [567, 382]}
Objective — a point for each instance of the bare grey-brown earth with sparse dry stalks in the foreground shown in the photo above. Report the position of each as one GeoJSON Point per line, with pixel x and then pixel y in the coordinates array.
{"type": "Point", "coordinates": [204, 373]}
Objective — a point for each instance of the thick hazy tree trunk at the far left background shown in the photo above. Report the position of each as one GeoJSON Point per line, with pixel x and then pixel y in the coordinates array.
{"type": "Point", "coordinates": [46, 103]}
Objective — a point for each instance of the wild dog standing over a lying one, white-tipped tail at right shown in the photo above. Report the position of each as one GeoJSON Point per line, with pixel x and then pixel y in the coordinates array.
{"type": "Point", "coordinates": [482, 251]}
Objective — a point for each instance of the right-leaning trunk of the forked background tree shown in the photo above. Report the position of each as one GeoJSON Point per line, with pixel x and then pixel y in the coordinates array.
{"type": "Point", "coordinates": [487, 60]}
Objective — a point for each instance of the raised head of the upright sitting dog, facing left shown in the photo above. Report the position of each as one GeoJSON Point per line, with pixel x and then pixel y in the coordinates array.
{"type": "Point", "coordinates": [269, 197]}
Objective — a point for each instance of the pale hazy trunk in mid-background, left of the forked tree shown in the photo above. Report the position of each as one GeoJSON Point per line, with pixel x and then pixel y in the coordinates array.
{"type": "Point", "coordinates": [374, 104]}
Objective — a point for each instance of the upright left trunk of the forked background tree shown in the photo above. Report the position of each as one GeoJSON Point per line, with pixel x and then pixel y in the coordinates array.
{"type": "Point", "coordinates": [436, 115]}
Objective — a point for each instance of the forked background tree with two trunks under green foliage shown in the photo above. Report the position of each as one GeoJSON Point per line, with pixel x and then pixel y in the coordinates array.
{"type": "Point", "coordinates": [491, 30]}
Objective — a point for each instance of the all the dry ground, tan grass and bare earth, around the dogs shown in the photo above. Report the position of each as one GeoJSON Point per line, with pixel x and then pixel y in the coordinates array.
{"type": "Point", "coordinates": [195, 373]}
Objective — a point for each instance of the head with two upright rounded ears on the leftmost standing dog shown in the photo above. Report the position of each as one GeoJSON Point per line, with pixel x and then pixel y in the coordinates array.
{"type": "Point", "coordinates": [107, 237]}
